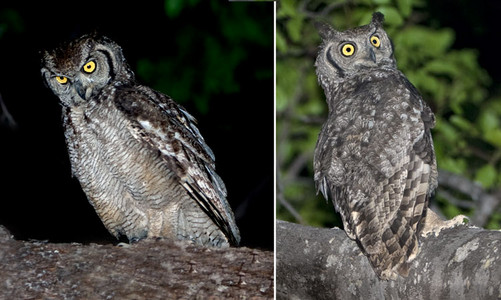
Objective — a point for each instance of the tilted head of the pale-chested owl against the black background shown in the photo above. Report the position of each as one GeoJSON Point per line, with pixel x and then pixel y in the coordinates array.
{"type": "Point", "coordinates": [79, 70]}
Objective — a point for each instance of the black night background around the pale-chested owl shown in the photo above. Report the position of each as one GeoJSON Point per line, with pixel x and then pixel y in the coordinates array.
{"type": "Point", "coordinates": [213, 57]}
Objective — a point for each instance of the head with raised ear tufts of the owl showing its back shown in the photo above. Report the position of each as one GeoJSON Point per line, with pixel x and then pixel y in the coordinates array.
{"type": "Point", "coordinates": [346, 53]}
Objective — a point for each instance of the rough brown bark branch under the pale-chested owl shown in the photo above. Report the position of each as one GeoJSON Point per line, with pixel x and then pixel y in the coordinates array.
{"type": "Point", "coordinates": [150, 269]}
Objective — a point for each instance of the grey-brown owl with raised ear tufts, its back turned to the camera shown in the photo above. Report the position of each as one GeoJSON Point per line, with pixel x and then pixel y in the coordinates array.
{"type": "Point", "coordinates": [374, 156]}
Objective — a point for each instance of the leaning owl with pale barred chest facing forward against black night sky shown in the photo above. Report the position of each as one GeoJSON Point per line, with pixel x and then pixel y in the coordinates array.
{"type": "Point", "coordinates": [138, 155]}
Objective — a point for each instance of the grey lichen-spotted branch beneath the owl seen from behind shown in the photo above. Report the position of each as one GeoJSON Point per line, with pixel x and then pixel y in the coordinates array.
{"type": "Point", "coordinates": [319, 263]}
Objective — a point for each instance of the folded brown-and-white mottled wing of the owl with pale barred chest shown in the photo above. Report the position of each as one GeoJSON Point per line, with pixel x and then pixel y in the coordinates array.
{"type": "Point", "coordinates": [169, 128]}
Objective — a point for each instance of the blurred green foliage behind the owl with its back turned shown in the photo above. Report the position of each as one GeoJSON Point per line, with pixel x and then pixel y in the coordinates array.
{"type": "Point", "coordinates": [467, 135]}
